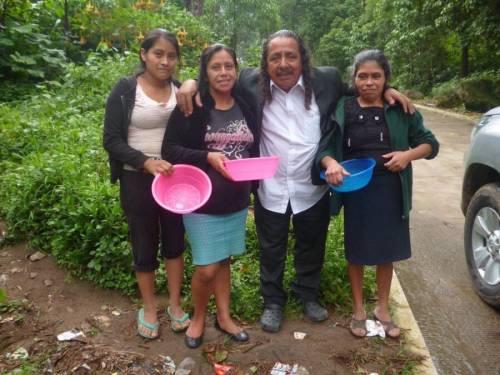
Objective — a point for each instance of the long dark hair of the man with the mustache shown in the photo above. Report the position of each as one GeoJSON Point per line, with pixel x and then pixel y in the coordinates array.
{"type": "Point", "coordinates": [305, 57]}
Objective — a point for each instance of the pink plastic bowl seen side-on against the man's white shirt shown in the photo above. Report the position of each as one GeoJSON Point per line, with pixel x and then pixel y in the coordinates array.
{"type": "Point", "coordinates": [252, 168]}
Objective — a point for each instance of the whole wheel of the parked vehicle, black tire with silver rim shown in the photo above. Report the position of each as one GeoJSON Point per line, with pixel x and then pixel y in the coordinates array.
{"type": "Point", "coordinates": [482, 242]}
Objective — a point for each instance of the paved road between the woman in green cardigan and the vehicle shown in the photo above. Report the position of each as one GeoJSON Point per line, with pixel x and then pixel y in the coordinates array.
{"type": "Point", "coordinates": [462, 333]}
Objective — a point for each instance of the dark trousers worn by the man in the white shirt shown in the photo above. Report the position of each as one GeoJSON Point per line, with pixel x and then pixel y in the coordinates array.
{"type": "Point", "coordinates": [309, 228]}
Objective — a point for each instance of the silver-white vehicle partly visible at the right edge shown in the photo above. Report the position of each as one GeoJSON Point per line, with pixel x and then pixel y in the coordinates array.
{"type": "Point", "coordinates": [481, 207]}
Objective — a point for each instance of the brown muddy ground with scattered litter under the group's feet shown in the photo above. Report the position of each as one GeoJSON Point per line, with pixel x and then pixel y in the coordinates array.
{"type": "Point", "coordinates": [50, 302]}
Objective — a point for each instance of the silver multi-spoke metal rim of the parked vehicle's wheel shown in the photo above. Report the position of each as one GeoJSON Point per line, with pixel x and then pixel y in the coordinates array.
{"type": "Point", "coordinates": [486, 245]}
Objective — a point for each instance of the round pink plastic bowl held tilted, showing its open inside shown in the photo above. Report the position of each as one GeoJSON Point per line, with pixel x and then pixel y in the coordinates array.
{"type": "Point", "coordinates": [184, 191]}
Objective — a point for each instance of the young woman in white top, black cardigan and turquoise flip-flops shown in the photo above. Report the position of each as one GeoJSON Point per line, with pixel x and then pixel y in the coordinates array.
{"type": "Point", "coordinates": [133, 139]}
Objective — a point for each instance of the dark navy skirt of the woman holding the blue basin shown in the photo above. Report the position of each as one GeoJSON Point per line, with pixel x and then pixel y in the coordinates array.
{"type": "Point", "coordinates": [374, 229]}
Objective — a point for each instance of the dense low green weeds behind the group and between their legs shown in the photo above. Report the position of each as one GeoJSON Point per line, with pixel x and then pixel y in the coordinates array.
{"type": "Point", "coordinates": [55, 191]}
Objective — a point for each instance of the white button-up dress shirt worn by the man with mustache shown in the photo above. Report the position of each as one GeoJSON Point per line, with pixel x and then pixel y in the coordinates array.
{"type": "Point", "coordinates": [292, 133]}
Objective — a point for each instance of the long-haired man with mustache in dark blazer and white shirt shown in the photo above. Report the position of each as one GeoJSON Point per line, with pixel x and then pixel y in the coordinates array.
{"type": "Point", "coordinates": [294, 101]}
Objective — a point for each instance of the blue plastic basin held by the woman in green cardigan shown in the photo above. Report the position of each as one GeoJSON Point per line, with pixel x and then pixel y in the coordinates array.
{"type": "Point", "coordinates": [361, 171]}
